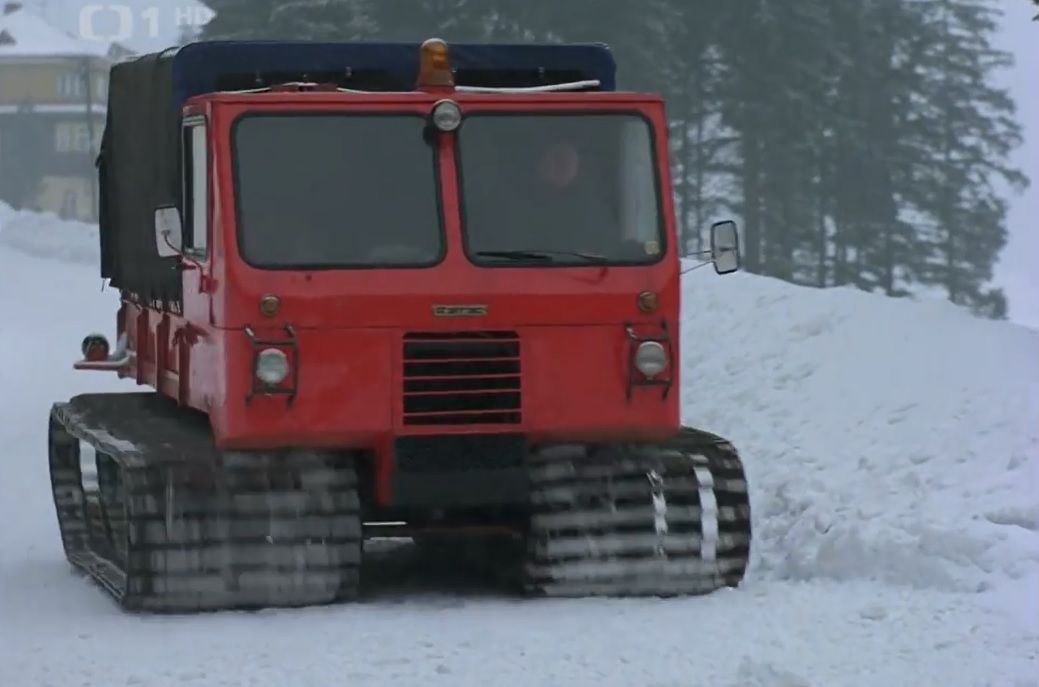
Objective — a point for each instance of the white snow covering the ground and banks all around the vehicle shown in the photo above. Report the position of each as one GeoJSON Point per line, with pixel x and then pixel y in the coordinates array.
{"type": "Point", "coordinates": [893, 450]}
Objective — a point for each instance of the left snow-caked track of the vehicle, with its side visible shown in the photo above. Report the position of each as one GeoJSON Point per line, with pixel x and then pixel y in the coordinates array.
{"type": "Point", "coordinates": [178, 527]}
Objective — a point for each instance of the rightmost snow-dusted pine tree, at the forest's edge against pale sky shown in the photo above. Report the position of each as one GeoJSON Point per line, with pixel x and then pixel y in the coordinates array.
{"type": "Point", "coordinates": [968, 127]}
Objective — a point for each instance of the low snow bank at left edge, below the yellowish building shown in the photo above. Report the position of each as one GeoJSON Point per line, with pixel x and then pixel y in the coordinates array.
{"type": "Point", "coordinates": [44, 235]}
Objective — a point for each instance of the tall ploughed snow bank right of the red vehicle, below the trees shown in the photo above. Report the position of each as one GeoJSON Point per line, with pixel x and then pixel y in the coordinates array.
{"type": "Point", "coordinates": [885, 439]}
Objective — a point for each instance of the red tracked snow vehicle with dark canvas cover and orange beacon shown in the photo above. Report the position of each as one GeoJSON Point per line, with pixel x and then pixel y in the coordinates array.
{"type": "Point", "coordinates": [382, 288]}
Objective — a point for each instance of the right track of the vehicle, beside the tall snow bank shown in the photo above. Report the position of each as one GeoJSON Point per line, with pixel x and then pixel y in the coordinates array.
{"type": "Point", "coordinates": [638, 520]}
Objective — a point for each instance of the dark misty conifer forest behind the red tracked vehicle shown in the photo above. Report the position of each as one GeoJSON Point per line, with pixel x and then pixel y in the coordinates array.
{"type": "Point", "coordinates": [860, 143]}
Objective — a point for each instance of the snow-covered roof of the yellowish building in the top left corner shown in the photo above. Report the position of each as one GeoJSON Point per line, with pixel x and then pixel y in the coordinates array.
{"type": "Point", "coordinates": [26, 35]}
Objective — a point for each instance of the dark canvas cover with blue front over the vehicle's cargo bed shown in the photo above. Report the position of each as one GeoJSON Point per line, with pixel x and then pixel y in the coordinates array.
{"type": "Point", "coordinates": [140, 166]}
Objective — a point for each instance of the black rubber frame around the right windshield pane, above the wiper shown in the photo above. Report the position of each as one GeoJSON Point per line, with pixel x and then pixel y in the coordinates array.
{"type": "Point", "coordinates": [560, 261]}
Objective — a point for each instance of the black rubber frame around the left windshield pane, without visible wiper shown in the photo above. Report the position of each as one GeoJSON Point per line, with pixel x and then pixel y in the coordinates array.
{"type": "Point", "coordinates": [404, 113]}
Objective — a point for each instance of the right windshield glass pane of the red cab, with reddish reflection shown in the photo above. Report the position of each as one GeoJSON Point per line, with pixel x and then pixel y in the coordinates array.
{"type": "Point", "coordinates": [560, 189]}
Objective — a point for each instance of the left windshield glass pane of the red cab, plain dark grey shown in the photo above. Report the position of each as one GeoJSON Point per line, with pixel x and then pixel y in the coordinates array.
{"type": "Point", "coordinates": [336, 191]}
